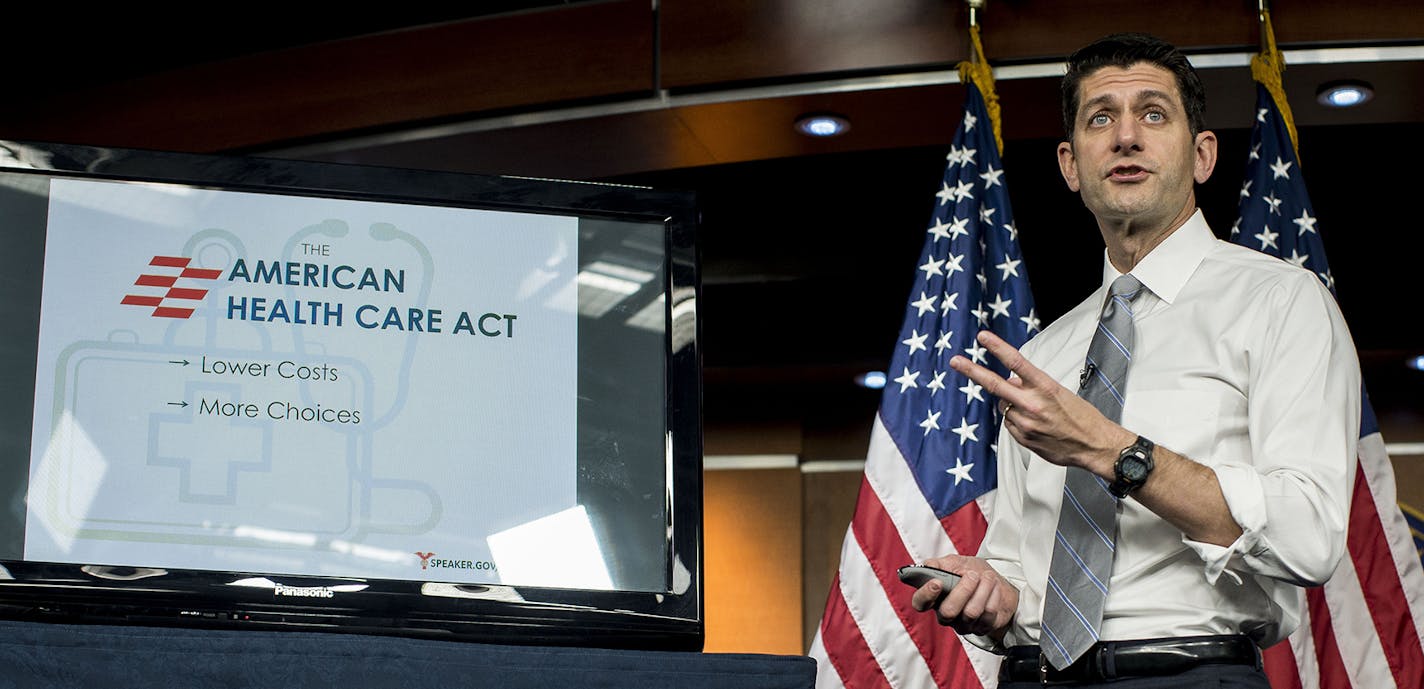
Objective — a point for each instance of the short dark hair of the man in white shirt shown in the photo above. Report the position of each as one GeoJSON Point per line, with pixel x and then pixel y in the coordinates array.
{"type": "Point", "coordinates": [1126, 51]}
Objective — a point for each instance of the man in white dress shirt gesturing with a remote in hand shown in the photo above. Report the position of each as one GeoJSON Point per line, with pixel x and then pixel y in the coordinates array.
{"type": "Point", "coordinates": [1242, 375]}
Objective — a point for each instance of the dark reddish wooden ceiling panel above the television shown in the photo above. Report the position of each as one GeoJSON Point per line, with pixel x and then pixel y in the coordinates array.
{"type": "Point", "coordinates": [592, 51]}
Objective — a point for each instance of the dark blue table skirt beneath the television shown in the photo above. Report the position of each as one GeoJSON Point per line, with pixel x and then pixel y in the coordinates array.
{"type": "Point", "coordinates": [53, 656]}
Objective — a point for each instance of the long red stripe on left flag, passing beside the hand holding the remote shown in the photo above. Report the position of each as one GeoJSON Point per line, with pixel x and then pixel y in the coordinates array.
{"type": "Point", "coordinates": [876, 533]}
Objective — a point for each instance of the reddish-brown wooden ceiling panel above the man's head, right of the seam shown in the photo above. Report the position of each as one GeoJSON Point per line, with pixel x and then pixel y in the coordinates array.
{"type": "Point", "coordinates": [735, 42]}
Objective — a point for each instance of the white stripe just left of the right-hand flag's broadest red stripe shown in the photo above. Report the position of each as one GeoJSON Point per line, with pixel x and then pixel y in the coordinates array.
{"type": "Point", "coordinates": [1359, 644]}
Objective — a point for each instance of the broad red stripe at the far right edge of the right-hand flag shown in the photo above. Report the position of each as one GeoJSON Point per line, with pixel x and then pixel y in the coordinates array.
{"type": "Point", "coordinates": [1383, 591]}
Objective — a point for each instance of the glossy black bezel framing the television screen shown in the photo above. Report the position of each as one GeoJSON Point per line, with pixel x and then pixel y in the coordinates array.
{"type": "Point", "coordinates": [671, 620]}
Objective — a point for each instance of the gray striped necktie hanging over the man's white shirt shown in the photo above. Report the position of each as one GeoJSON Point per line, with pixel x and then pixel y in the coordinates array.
{"type": "Point", "coordinates": [1089, 519]}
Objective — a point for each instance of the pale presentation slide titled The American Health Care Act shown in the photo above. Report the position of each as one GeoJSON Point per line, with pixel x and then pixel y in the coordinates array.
{"type": "Point", "coordinates": [310, 386]}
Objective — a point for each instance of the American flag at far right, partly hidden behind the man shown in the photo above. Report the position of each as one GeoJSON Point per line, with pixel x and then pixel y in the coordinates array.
{"type": "Point", "coordinates": [1365, 630]}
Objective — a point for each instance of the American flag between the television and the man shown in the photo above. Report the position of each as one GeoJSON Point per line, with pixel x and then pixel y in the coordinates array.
{"type": "Point", "coordinates": [931, 472]}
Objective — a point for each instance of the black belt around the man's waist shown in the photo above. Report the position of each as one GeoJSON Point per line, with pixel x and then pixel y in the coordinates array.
{"type": "Point", "coordinates": [1117, 660]}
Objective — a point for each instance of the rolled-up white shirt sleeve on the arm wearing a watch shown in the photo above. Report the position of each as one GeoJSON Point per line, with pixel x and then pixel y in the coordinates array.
{"type": "Point", "coordinates": [1292, 495]}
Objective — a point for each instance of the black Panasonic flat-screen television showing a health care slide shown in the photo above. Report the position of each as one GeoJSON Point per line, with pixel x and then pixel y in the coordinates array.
{"type": "Point", "coordinates": [281, 395]}
